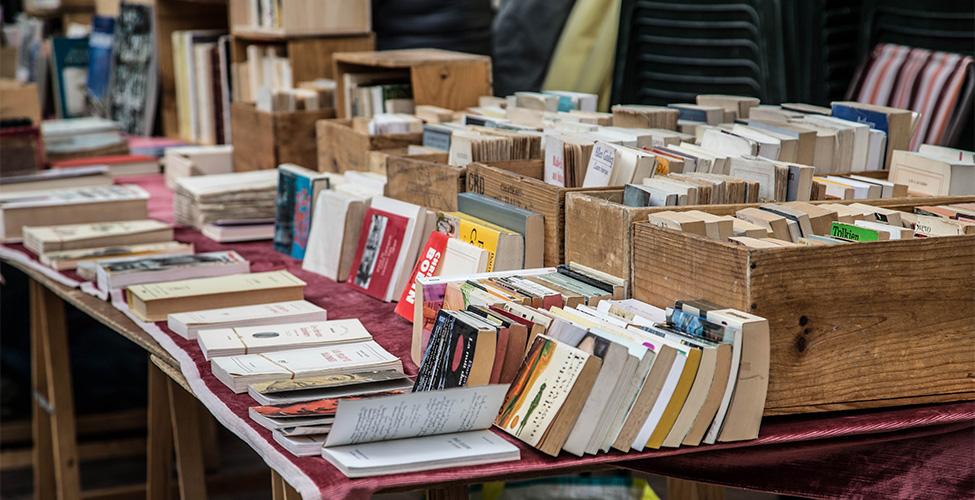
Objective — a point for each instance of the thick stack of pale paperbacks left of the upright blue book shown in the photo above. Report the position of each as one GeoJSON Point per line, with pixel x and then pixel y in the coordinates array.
{"type": "Point", "coordinates": [233, 200]}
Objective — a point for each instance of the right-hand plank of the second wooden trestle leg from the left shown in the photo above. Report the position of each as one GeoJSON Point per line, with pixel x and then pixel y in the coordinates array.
{"type": "Point", "coordinates": [186, 436]}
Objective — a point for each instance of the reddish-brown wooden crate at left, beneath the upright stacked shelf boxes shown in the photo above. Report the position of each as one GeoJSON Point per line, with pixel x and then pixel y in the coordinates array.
{"type": "Point", "coordinates": [265, 140]}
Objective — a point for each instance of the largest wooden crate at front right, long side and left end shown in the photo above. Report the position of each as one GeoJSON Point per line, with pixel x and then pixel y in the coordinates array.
{"type": "Point", "coordinates": [853, 326]}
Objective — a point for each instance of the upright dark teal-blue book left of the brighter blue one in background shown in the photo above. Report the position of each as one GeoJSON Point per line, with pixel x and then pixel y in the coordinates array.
{"type": "Point", "coordinates": [69, 61]}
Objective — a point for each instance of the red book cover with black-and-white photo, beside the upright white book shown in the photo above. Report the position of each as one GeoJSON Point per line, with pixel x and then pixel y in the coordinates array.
{"type": "Point", "coordinates": [380, 242]}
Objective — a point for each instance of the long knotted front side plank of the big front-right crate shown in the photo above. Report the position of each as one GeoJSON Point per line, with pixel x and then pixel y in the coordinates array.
{"type": "Point", "coordinates": [848, 321]}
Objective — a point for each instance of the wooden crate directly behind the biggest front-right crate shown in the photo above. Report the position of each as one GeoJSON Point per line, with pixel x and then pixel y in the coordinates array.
{"type": "Point", "coordinates": [598, 226]}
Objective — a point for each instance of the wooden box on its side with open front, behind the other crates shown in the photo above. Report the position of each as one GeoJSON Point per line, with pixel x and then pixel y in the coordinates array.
{"type": "Point", "coordinates": [452, 80]}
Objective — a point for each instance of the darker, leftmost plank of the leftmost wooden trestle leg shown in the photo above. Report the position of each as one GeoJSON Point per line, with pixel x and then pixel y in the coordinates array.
{"type": "Point", "coordinates": [43, 453]}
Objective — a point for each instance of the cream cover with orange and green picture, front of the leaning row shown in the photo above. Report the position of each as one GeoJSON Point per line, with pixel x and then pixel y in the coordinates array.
{"type": "Point", "coordinates": [540, 389]}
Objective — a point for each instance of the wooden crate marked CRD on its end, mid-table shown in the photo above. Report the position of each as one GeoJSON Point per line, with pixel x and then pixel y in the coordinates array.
{"type": "Point", "coordinates": [525, 189]}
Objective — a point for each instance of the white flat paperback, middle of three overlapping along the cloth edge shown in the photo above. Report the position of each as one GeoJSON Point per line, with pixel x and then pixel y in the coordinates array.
{"type": "Point", "coordinates": [266, 338]}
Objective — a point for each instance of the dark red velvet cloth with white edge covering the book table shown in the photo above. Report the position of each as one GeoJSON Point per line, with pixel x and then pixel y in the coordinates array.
{"type": "Point", "coordinates": [902, 452]}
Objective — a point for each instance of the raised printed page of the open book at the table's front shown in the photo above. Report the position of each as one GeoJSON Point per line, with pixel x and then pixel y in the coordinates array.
{"type": "Point", "coordinates": [416, 414]}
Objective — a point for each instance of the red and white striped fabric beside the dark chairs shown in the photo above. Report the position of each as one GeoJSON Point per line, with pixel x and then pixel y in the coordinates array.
{"type": "Point", "coordinates": [929, 83]}
